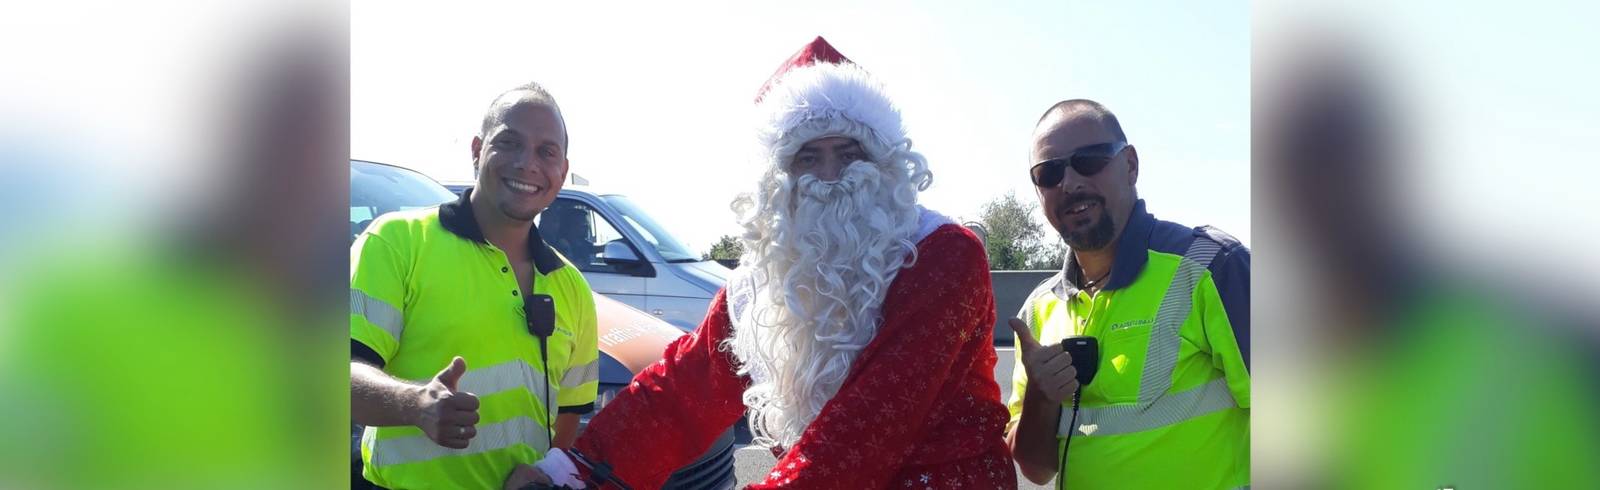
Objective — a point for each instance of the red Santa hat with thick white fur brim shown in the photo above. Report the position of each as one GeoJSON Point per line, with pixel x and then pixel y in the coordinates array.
{"type": "Point", "coordinates": [820, 94]}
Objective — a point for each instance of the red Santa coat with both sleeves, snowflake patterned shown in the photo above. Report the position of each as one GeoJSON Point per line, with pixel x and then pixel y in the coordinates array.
{"type": "Point", "coordinates": [921, 408]}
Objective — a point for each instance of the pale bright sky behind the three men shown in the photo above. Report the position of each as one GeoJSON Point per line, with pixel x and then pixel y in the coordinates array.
{"type": "Point", "coordinates": [658, 98]}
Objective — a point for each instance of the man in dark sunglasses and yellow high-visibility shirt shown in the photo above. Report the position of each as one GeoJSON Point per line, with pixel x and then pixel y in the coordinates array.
{"type": "Point", "coordinates": [1170, 310]}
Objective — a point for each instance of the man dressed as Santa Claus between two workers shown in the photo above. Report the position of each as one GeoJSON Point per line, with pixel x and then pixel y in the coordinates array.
{"type": "Point", "coordinates": [857, 334]}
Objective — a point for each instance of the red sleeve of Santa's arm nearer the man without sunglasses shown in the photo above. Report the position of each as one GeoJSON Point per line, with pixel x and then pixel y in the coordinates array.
{"type": "Point", "coordinates": [673, 411]}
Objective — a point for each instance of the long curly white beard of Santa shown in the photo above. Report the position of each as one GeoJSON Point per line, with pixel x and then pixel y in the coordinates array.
{"type": "Point", "coordinates": [822, 263]}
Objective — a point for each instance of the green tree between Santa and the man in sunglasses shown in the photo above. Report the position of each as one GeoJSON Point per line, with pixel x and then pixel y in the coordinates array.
{"type": "Point", "coordinates": [1017, 241]}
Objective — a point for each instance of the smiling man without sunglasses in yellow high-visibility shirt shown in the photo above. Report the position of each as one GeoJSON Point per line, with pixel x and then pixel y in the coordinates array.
{"type": "Point", "coordinates": [457, 367]}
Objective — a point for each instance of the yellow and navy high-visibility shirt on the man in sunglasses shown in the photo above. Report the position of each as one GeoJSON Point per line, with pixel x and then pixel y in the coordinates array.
{"type": "Point", "coordinates": [1170, 404]}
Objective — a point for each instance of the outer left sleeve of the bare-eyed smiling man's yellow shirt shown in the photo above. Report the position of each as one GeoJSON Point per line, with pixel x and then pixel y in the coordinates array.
{"type": "Point", "coordinates": [377, 292]}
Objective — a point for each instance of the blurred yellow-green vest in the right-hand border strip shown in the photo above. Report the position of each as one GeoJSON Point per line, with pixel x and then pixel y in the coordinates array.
{"type": "Point", "coordinates": [1462, 384]}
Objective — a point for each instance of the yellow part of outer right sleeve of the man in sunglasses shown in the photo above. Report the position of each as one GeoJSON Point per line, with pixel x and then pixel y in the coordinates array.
{"type": "Point", "coordinates": [1225, 299]}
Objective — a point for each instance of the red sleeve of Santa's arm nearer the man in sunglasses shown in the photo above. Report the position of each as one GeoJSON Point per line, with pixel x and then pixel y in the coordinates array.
{"type": "Point", "coordinates": [868, 430]}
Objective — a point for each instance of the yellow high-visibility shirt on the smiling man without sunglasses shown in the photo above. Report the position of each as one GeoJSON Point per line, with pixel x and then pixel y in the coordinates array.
{"type": "Point", "coordinates": [426, 287]}
